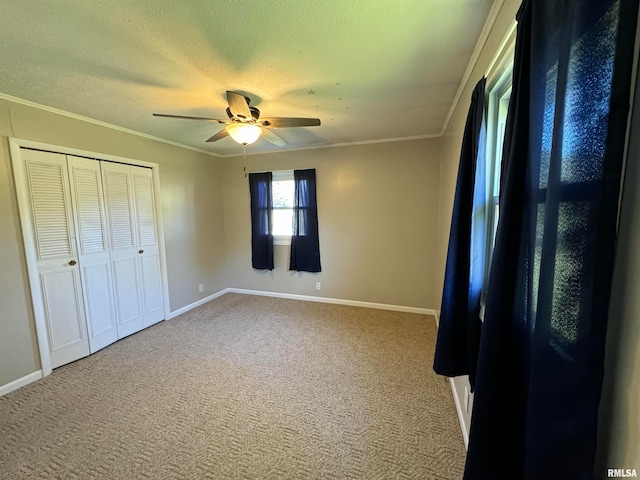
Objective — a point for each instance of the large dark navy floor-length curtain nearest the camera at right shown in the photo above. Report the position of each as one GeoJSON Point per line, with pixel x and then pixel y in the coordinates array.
{"type": "Point", "coordinates": [541, 358]}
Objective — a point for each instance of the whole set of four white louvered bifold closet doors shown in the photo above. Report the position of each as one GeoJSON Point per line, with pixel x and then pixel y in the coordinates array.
{"type": "Point", "coordinates": [95, 234]}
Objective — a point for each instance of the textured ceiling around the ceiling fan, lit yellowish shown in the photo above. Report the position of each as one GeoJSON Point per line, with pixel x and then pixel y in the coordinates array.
{"type": "Point", "coordinates": [369, 69]}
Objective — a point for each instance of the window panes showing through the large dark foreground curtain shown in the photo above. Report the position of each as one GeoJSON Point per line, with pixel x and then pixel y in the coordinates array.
{"type": "Point", "coordinates": [574, 145]}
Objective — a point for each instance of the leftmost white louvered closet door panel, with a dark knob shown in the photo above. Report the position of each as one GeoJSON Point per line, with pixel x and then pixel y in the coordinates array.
{"type": "Point", "coordinates": [58, 271]}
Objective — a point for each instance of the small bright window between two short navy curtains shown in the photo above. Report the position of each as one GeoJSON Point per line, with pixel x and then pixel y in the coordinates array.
{"type": "Point", "coordinates": [282, 192]}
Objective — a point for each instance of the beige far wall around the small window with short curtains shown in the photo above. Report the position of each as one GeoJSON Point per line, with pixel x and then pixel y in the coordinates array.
{"type": "Point", "coordinates": [377, 209]}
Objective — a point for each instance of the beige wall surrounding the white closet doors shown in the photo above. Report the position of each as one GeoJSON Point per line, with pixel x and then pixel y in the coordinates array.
{"type": "Point", "coordinates": [191, 207]}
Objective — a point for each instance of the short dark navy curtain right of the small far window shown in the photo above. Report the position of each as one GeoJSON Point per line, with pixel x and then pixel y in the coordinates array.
{"type": "Point", "coordinates": [305, 244]}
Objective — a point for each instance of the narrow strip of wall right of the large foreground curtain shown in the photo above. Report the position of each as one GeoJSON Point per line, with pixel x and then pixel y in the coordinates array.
{"type": "Point", "coordinates": [619, 420]}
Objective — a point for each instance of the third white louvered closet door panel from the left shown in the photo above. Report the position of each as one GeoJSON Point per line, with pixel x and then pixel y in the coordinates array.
{"type": "Point", "coordinates": [120, 208]}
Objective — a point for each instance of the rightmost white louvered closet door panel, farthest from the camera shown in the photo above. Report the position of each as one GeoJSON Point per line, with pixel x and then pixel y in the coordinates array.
{"type": "Point", "coordinates": [148, 255]}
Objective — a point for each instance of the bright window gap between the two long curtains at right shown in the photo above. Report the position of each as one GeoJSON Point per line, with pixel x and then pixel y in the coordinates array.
{"type": "Point", "coordinates": [497, 107]}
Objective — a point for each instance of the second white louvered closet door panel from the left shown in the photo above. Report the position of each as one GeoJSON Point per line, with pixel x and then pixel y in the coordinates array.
{"type": "Point", "coordinates": [93, 245]}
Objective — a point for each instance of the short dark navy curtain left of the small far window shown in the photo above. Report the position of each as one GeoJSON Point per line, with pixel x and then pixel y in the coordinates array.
{"type": "Point", "coordinates": [261, 206]}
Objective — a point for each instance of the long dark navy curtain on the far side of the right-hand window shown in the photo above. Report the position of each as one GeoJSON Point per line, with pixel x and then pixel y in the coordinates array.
{"type": "Point", "coordinates": [459, 328]}
